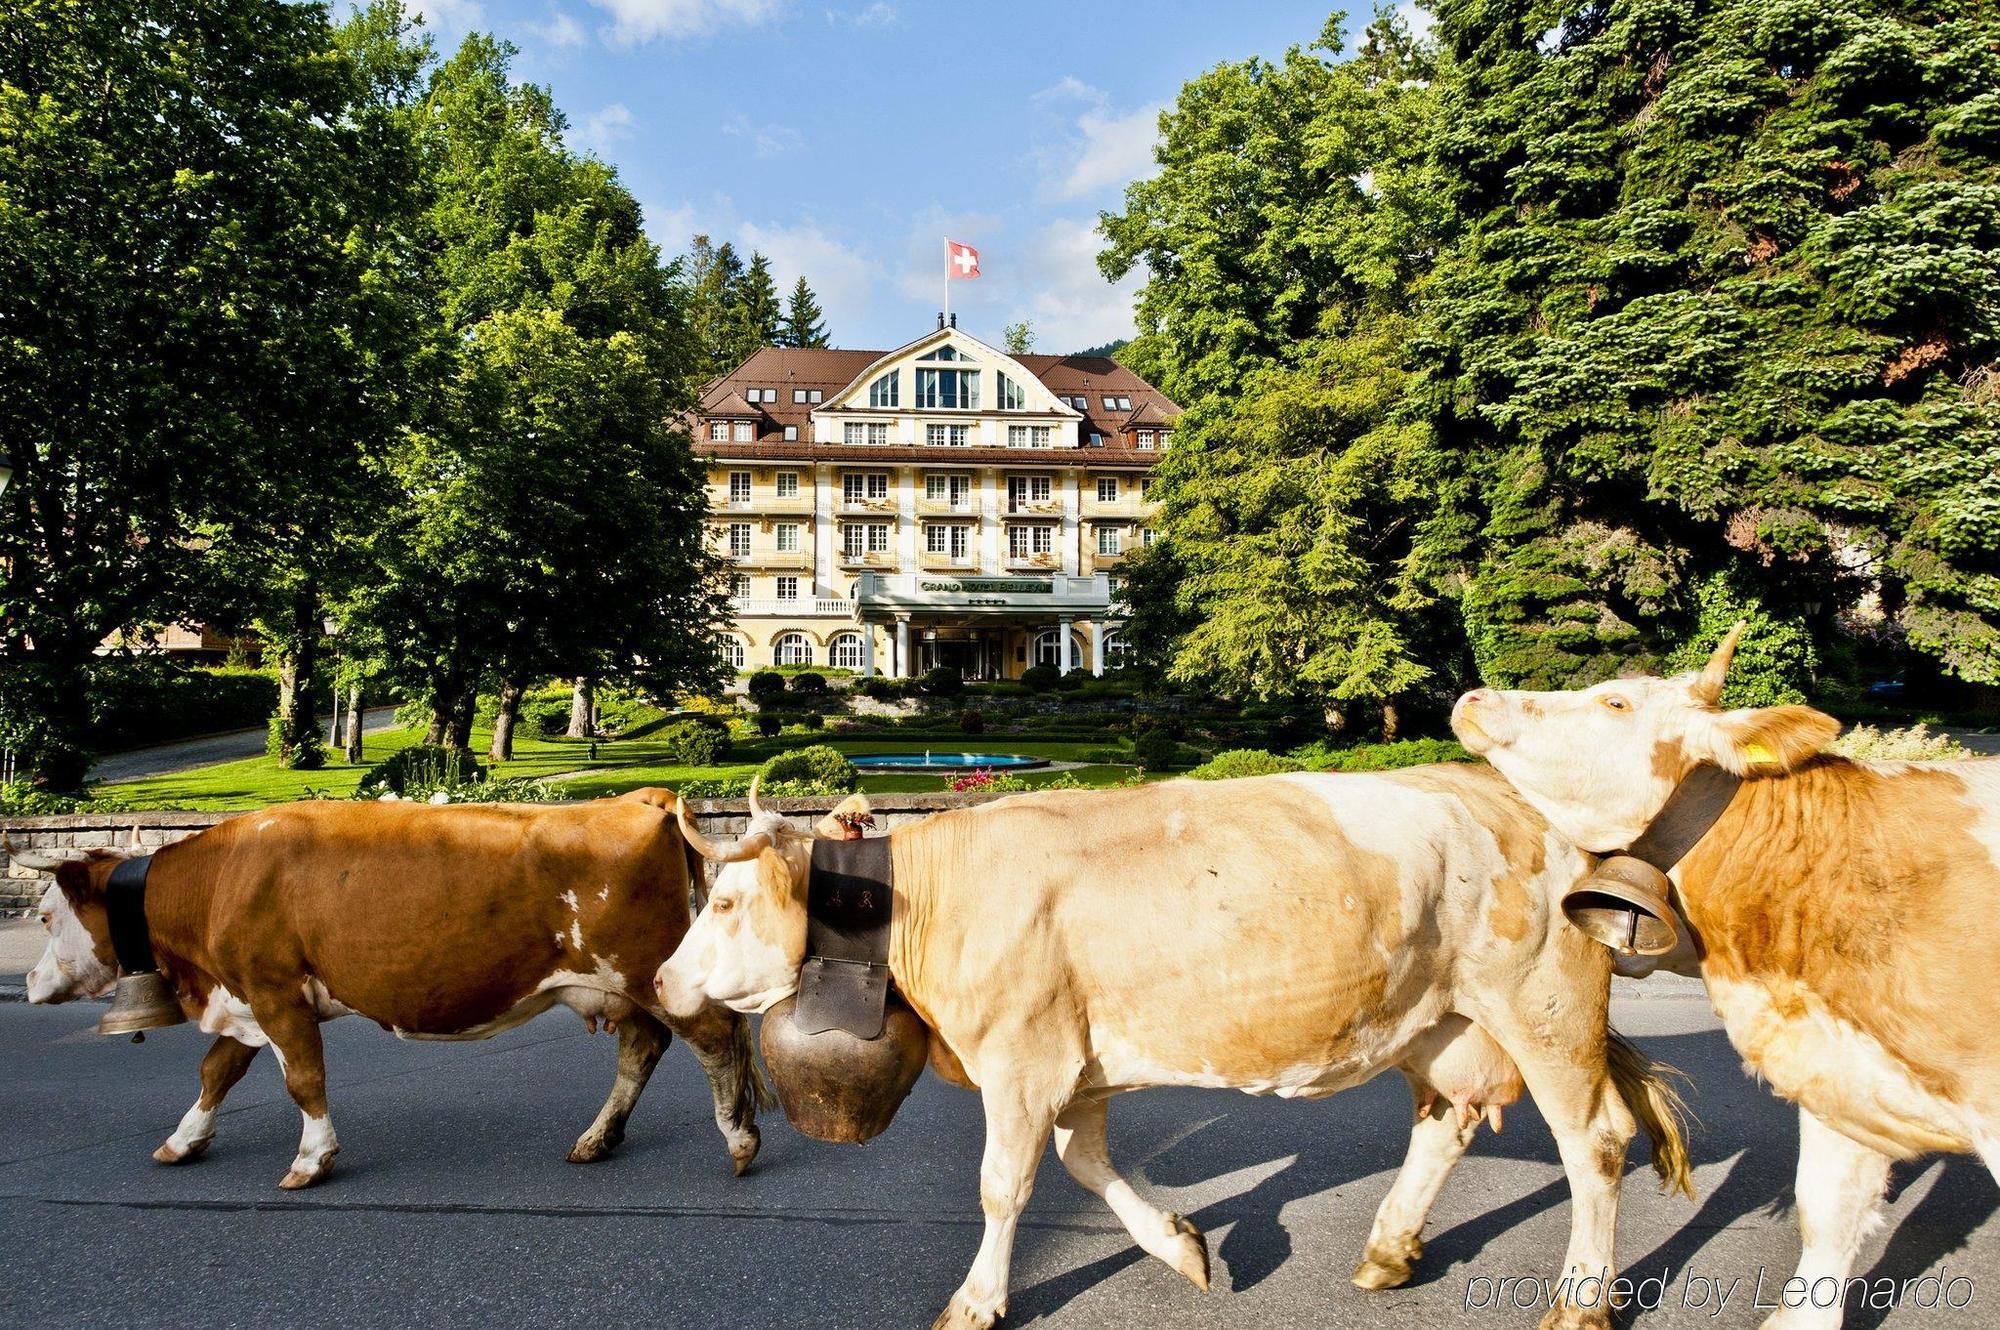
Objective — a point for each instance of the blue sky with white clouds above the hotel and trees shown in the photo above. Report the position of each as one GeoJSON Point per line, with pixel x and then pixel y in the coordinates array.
{"type": "Point", "coordinates": [847, 139]}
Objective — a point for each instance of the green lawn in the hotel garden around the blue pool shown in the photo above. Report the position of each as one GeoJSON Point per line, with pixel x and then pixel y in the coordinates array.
{"type": "Point", "coordinates": [621, 765]}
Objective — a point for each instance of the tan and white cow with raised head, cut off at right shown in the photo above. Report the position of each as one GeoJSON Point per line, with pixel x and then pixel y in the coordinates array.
{"type": "Point", "coordinates": [1843, 917]}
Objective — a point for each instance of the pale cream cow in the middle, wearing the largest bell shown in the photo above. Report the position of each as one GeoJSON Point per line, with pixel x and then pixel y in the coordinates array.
{"type": "Point", "coordinates": [1285, 935]}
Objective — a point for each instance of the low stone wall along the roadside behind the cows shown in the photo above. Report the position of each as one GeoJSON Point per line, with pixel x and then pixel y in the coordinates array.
{"type": "Point", "coordinates": [21, 889]}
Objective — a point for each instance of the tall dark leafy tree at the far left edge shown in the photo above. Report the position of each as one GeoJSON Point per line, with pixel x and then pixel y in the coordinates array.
{"type": "Point", "coordinates": [189, 233]}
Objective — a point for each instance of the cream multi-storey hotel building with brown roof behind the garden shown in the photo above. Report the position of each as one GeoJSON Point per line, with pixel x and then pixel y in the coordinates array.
{"type": "Point", "coordinates": [943, 505]}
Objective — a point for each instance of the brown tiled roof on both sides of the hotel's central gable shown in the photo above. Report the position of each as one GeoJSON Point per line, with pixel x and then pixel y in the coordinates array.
{"type": "Point", "coordinates": [831, 371]}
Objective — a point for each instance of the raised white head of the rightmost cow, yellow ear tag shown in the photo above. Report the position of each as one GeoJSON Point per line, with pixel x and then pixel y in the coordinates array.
{"type": "Point", "coordinates": [1599, 763]}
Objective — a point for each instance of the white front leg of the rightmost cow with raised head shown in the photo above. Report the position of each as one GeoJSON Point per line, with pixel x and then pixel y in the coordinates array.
{"type": "Point", "coordinates": [1839, 1195]}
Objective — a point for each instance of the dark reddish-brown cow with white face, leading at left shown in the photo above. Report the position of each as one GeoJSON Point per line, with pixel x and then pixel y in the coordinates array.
{"type": "Point", "coordinates": [439, 923]}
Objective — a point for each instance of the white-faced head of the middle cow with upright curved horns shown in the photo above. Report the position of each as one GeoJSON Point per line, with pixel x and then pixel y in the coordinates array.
{"type": "Point", "coordinates": [749, 941]}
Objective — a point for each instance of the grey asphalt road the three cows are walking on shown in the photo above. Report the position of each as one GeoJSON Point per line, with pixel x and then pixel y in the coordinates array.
{"type": "Point", "coordinates": [451, 1201]}
